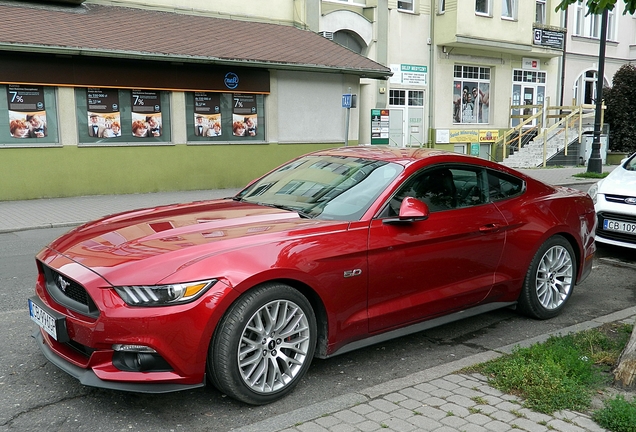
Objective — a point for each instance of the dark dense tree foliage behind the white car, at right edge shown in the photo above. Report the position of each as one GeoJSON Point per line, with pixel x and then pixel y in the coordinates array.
{"type": "Point", "coordinates": [620, 100]}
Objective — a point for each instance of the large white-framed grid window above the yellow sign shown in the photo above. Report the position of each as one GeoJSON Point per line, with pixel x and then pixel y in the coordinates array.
{"type": "Point", "coordinates": [471, 94]}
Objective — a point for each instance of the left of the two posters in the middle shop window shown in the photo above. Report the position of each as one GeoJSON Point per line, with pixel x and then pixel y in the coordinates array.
{"type": "Point", "coordinates": [104, 120]}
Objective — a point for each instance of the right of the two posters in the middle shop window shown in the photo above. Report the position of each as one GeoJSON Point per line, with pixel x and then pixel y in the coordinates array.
{"type": "Point", "coordinates": [146, 113]}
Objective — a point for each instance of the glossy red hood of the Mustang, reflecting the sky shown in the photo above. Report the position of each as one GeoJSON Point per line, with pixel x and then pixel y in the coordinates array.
{"type": "Point", "coordinates": [159, 241]}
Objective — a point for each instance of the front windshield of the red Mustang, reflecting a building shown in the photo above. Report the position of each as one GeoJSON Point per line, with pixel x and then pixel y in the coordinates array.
{"type": "Point", "coordinates": [324, 187]}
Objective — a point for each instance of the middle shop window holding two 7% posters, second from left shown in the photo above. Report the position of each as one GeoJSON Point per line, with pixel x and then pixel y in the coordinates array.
{"type": "Point", "coordinates": [108, 116]}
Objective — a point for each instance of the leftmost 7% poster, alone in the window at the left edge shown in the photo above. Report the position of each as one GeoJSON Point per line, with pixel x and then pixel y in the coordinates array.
{"type": "Point", "coordinates": [27, 114]}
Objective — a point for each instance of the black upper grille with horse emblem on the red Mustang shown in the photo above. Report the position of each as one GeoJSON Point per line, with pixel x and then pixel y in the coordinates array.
{"type": "Point", "coordinates": [68, 292]}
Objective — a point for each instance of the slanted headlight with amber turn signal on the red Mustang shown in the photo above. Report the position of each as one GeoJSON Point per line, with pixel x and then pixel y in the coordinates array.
{"type": "Point", "coordinates": [163, 295]}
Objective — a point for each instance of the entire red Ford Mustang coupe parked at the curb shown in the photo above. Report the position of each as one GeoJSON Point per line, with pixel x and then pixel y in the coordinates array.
{"type": "Point", "coordinates": [330, 252]}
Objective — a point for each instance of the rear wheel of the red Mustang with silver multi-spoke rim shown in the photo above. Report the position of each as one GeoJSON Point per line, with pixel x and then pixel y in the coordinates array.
{"type": "Point", "coordinates": [550, 280]}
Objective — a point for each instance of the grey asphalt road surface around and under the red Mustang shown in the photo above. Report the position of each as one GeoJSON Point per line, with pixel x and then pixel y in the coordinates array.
{"type": "Point", "coordinates": [37, 396]}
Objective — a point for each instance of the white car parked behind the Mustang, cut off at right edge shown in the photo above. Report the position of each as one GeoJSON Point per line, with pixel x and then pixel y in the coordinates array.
{"type": "Point", "coordinates": [615, 204]}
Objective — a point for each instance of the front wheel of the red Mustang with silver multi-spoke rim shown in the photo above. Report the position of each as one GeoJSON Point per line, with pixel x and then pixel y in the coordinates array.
{"type": "Point", "coordinates": [263, 345]}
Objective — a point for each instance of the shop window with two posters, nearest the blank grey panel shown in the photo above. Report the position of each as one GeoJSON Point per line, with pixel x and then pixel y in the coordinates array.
{"type": "Point", "coordinates": [225, 117]}
